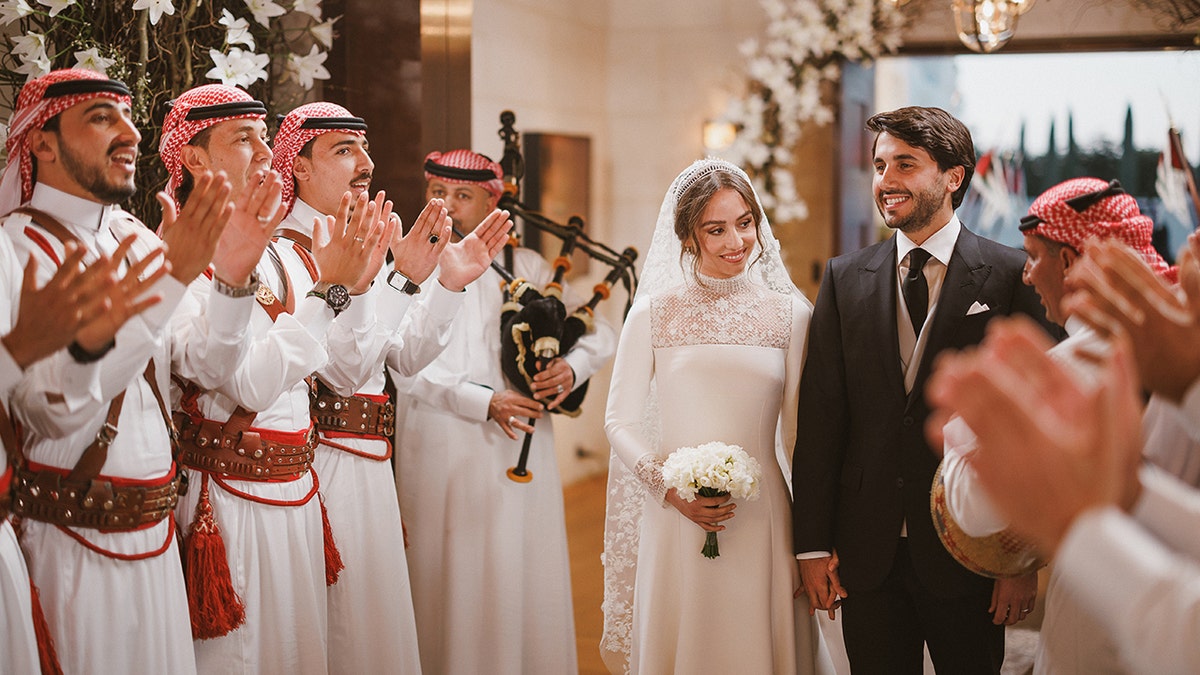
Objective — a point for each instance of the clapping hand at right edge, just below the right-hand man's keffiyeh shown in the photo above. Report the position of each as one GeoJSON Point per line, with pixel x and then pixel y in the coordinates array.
{"type": "Point", "coordinates": [1115, 290]}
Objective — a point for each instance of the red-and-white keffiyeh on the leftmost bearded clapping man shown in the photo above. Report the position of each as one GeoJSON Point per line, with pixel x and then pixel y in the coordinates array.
{"type": "Point", "coordinates": [39, 101]}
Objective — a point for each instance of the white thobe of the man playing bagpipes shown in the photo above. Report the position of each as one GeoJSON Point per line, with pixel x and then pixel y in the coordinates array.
{"type": "Point", "coordinates": [488, 558]}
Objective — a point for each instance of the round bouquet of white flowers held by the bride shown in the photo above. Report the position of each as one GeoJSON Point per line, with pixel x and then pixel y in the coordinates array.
{"type": "Point", "coordinates": [712, 470]}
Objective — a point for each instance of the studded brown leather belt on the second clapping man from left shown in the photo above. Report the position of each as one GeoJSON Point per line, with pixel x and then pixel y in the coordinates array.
{"type": "Point", "coordinates": [244, 456]}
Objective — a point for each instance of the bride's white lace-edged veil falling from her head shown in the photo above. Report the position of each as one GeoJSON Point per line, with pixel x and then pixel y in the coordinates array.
{"type": "Point", "coordinates": [663, 271]}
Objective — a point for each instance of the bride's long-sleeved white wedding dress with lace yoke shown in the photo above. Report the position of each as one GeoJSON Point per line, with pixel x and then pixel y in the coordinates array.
{"type": "Point", "coordinates": [724, 357]}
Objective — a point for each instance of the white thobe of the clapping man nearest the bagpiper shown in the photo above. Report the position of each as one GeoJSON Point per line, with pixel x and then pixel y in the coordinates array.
{"type": "Point", "coordinates": [371, 623]}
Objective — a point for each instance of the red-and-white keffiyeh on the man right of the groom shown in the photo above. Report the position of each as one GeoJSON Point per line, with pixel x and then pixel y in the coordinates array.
{"type": "Point", "coordinates": [1081, 210]}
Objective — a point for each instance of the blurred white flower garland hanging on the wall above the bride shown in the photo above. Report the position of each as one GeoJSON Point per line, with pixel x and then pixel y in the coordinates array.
{"type": "Point", "coordinates": [803, 50]}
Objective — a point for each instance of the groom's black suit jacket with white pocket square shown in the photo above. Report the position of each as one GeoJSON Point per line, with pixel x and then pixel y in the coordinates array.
{"type": "Point", "coordinates": [862, 465]}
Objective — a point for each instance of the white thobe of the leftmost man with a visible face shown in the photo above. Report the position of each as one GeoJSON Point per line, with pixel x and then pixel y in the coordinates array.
{"type": "Point", "coordinates": [131, 617]}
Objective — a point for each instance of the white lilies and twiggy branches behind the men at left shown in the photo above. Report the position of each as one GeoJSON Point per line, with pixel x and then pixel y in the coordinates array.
{"type": "Point", "coordinates": [274, 49]}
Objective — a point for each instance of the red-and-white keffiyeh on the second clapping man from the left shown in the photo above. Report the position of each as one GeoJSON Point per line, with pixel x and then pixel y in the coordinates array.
{"type": "Point", "coordinates": [195, 111]}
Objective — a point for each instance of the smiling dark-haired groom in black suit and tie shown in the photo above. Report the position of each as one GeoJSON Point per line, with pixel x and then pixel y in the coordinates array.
{"type": "Point", "coordinates": [862, 469]}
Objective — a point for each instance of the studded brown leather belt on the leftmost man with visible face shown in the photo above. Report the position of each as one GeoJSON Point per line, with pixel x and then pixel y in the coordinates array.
{"type": "Point", "coordinates": [99, 505]}
